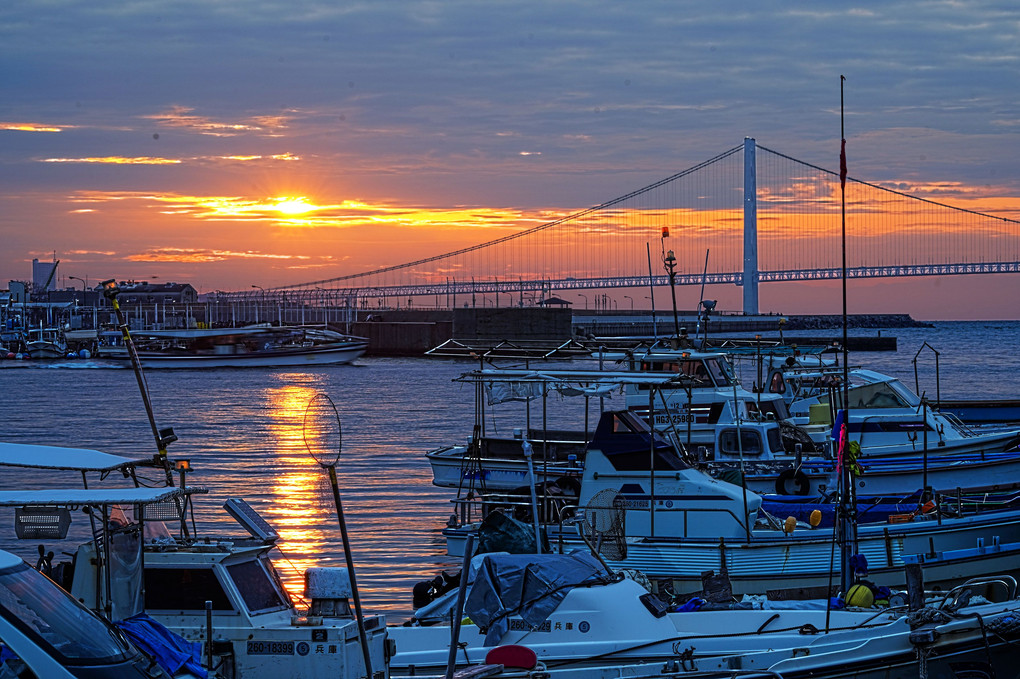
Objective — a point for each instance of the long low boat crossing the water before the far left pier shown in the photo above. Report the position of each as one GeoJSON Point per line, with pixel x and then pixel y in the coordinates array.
{"type": "Point", "coordinates": [258, 346]}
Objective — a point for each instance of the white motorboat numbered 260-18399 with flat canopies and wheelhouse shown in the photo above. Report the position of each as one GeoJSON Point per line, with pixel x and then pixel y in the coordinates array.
{"type": "Point", "coordinates": [145, 559]}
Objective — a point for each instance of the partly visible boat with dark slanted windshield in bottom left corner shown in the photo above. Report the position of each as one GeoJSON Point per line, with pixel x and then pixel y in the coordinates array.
{"type": "Point", "coordinates": [46, 634]}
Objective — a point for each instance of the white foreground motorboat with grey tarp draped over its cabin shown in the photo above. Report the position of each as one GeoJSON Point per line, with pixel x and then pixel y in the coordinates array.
{"type": "Point", "coordinates": [572, 618]}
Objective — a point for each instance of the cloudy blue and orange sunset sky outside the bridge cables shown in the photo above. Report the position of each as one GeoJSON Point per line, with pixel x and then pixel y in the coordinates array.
{"type": "Point", "coordinates": [275, 142]}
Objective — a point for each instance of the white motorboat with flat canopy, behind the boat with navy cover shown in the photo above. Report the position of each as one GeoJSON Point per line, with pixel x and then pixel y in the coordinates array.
{"type": "Point", "coordinates": [746, 446]}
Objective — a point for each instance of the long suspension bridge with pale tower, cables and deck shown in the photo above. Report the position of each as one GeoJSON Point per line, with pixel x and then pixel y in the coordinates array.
{"type": "Point", "coordinates": [750, 216]}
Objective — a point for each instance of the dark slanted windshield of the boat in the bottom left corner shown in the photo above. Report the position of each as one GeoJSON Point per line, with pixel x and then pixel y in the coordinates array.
{"type": "Point", "coordinates": [56, 621]}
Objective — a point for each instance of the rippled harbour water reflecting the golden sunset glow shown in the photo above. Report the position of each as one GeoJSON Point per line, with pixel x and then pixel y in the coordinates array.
{"type": "Point", "coordinates": [243, 432]}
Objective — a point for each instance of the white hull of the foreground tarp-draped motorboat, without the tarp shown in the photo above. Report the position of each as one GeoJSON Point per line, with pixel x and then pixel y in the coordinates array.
{"type": "Point", "coordinates": [604, 633]}
